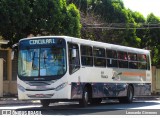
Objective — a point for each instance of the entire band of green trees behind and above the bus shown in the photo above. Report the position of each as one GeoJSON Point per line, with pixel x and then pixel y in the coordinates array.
{"type": "Point", "coordinates": [19, 18]}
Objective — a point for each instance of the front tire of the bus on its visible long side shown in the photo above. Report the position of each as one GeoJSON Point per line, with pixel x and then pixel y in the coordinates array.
{"type": "Point", "coordinates": [85, 98]}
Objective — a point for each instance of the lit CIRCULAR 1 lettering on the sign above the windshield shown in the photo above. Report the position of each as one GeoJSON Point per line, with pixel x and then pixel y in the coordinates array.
{"type": "Point", "coordinates": [41, 41]}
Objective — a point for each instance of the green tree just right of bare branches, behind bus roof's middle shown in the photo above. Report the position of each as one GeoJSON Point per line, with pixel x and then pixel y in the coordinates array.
{"type": "Point", "coordinates": [115, 15]}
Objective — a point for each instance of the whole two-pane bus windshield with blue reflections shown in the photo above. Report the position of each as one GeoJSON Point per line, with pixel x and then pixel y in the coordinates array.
{"type": "Point", "coordinates": [42, 62]}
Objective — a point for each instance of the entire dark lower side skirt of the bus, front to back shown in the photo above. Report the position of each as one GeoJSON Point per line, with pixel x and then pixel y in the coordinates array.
{"type": "Point", "coordinates": [101, 90]}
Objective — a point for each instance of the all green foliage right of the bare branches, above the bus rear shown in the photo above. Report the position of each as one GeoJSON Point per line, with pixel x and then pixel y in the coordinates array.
{"type": "Point", "coordinates": [113, 13]}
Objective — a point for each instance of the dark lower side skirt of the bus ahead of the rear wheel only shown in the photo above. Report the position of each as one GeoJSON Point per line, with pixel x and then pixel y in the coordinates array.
{"type": "Point", "coordinates": [99, 90]}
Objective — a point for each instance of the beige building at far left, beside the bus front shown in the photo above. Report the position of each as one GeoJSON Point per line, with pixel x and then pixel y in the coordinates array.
{"type": "Point", "coordinates": [9, 70]}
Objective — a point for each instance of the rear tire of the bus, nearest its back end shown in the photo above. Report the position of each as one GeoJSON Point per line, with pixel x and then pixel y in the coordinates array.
{"type": "Point", "coordinates": [129, 97]}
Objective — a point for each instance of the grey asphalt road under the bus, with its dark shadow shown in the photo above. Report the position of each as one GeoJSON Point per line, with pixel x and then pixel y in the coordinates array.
{"type": "Point", "coordinates": [105, 108]}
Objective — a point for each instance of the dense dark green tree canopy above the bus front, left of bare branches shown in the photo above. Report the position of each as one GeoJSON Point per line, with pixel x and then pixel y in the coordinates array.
{"type": "Point", "coordinates": [19, 18]}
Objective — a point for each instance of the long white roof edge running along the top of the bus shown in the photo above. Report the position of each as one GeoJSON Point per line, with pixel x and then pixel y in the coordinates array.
{"type": "Point", "coordinates": [95, 43]}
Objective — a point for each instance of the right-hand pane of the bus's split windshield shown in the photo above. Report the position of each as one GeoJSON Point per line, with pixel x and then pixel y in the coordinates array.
{"type": "Point", "coordinates": [52, 61]}
